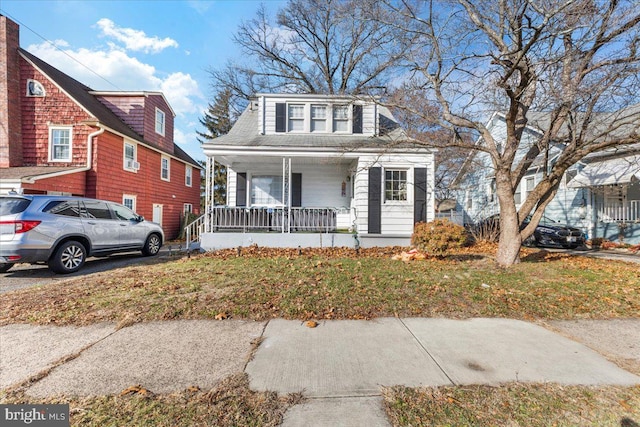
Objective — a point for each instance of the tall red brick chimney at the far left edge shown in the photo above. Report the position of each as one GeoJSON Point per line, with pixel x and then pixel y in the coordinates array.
{"type": "Point", "coordinates": [10, 113]}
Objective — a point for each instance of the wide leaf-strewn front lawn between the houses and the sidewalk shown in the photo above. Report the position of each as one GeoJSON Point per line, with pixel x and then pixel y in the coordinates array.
{"type": "Point", "coordinates": [260, 284]}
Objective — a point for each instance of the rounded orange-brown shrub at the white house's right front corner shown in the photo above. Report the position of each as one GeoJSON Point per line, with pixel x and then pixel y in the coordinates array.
{"type": "Point", "coordinates": [439, 236]}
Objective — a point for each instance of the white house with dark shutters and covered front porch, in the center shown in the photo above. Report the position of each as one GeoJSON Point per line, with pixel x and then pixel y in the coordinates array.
{"type": "Point", "coordinates": [314, 171]}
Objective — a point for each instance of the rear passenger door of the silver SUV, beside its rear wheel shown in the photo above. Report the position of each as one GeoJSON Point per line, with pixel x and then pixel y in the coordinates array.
{"type": "Point", "coordinates": [99, 225]}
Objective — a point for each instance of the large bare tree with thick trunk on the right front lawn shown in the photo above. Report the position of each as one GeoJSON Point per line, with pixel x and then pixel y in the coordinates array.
{"type": "Point", "coordinates": [569, 68]}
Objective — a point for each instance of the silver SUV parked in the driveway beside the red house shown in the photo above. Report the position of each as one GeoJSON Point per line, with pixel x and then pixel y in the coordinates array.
{"type": "Point", "coordinates": [64, 231]}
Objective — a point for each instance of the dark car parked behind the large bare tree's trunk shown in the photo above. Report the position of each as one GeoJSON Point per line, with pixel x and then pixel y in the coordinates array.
{"type": "Point", "coordinates": [548, 232]}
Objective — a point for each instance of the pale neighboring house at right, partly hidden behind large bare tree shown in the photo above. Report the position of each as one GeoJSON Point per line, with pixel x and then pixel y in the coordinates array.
{"type": "Point", "coordinates": [600, 194]}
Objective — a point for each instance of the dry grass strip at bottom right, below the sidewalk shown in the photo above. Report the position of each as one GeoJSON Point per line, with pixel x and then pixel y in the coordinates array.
{"type": "Point", "coordinates": [514, 405]}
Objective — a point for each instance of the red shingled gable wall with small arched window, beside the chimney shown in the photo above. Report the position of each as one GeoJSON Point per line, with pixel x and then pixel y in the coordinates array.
{"type": "Point", "coordinates": [56, 108]}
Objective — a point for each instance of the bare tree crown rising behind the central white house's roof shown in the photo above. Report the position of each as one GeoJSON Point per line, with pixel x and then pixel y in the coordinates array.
{"type": "Point", "coordinates": [314, 46]}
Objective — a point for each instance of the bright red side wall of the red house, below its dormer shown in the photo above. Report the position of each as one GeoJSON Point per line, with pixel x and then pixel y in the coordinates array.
{"type": "Point", "coordinates": [112, 182]}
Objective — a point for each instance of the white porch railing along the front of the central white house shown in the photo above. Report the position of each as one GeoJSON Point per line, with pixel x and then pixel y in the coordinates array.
{"type": "Point", "coordinates": [278, 219]}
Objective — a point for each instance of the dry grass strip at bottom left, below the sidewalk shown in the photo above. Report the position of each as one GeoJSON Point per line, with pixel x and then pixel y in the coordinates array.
{"type": "Point", "coordinates": [231, 403]}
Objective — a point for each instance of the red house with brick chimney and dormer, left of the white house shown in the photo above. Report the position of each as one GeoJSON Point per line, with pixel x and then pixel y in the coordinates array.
{"type": "Point", "coordinates": [58, 136]}
